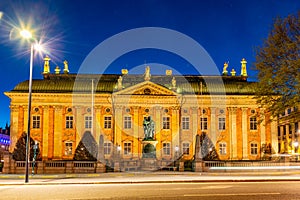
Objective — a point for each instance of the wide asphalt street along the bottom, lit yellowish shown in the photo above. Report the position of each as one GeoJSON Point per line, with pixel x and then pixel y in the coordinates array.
{"type": "Point", "coordinates": [212, 191]}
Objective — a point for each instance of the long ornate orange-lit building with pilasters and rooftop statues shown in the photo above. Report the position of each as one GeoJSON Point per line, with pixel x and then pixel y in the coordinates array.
{"type": "Point", "coordinates": [112, 108]}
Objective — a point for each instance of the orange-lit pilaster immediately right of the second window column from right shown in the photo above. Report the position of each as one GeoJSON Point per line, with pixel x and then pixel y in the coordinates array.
{"type": "Point", "coordinates": [233, 138]}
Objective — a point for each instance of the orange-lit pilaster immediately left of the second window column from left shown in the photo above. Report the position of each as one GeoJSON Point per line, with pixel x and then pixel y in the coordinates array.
{"type": "Point", "coordinates": [58, 132]}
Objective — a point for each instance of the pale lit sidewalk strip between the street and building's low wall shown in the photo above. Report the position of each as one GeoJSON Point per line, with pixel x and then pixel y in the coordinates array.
{"type": "Point", "coordinates": [148, 177]}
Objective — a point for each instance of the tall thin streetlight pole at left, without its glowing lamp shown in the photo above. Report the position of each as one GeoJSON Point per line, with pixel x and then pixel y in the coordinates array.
{"type": "Point", "coordinates": [29, 115]}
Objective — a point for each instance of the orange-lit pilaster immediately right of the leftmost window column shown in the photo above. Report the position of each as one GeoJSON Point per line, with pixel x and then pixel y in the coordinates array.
{"type": "Point", "coordinates": [45, 132]}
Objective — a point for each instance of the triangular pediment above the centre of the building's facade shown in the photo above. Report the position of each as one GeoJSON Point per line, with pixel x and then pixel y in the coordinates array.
{"type": "Point", "coordinates": [146, 88]}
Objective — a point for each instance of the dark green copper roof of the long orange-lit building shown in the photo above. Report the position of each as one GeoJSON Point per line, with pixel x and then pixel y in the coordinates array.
{"type": "Point", "coordinates": [189, 84]}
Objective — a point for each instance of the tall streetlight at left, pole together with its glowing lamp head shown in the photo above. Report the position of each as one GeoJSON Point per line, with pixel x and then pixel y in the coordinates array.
{"type": "Point", "coordinates": [27, 35]}
